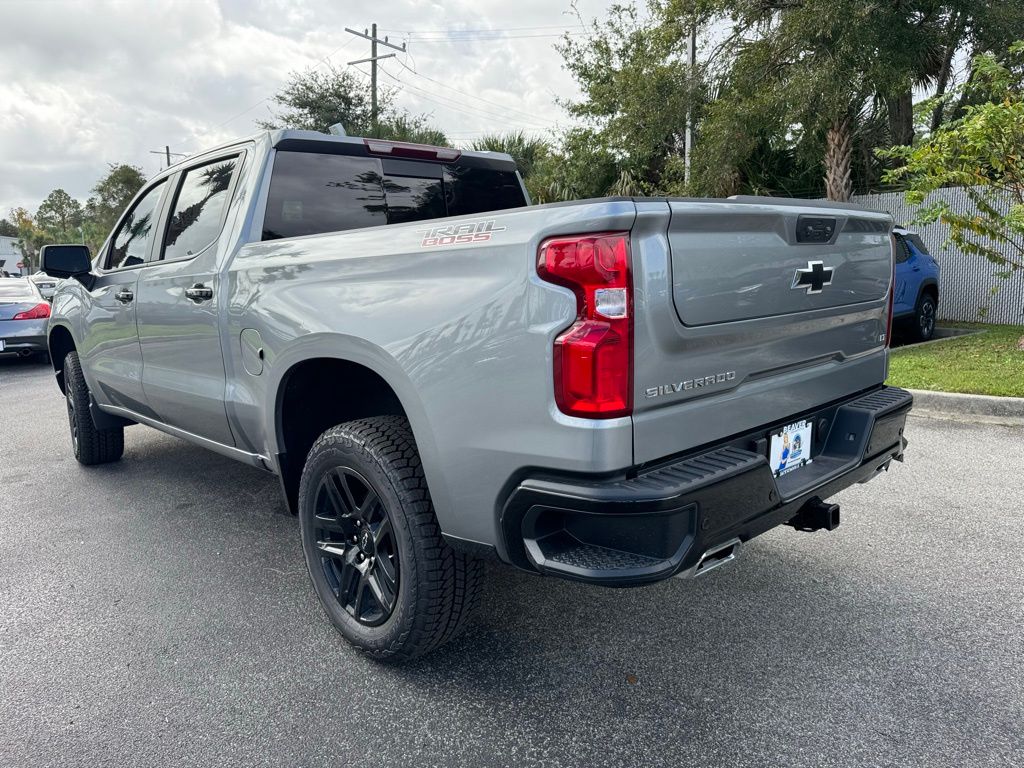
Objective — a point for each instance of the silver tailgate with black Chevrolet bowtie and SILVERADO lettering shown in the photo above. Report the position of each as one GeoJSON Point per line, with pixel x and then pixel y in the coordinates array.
{"type": "Point", "coordinates": [750, 312]}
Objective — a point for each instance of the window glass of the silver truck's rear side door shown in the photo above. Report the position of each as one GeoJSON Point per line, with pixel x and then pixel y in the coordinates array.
{"type": "Point", "coordinates": [199, 208]}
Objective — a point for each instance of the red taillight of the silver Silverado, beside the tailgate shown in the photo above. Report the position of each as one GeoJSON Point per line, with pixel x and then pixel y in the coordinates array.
{"type": "Point", "coordinates": [594, 357]}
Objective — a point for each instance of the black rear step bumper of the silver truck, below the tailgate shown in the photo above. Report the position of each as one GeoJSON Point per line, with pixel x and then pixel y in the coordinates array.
{"type": "Point", "coordinates": [691, 516]}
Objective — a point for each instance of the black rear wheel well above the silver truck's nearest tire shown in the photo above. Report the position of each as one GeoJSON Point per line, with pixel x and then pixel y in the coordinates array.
{"type": "Point", "coordinates": [316, 396]}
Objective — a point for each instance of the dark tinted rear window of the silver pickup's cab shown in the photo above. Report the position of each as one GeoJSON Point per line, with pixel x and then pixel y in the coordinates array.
{"type": "Point", "coordinates": [313, 193]}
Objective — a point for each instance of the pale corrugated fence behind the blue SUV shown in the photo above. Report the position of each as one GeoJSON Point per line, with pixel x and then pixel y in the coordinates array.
{"type": "Point", "coordinates": [967, 283]}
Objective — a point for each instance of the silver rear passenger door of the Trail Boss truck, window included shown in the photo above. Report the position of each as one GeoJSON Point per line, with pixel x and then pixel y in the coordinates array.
{"type": "Point", "coordinates": [180, 334]}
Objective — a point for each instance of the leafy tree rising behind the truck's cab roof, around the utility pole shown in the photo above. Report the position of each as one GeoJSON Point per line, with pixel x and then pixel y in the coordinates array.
{"type": "Point", "coordinates": [316, 100]}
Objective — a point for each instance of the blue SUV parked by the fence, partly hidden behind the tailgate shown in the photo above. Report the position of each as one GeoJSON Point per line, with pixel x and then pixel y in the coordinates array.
{"type": "Point", "coordinates": [917, 298]}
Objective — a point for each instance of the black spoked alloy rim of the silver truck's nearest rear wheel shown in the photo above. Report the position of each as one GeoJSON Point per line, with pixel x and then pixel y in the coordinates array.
{"type": "Point", "coordinates": [357, 546]}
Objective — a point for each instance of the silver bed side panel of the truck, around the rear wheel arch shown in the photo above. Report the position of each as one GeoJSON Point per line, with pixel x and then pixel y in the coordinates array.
{"type": "Point", "coordinates": [463, 333]}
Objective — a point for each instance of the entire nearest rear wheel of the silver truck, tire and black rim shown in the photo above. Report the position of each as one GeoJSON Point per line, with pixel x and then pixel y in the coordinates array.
{"type": "Point", "coordinates": [388, 580]}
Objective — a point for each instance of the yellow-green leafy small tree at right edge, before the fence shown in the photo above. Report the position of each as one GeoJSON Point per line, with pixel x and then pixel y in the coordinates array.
{"type": "Point", "coordinates": [982, 152]}
